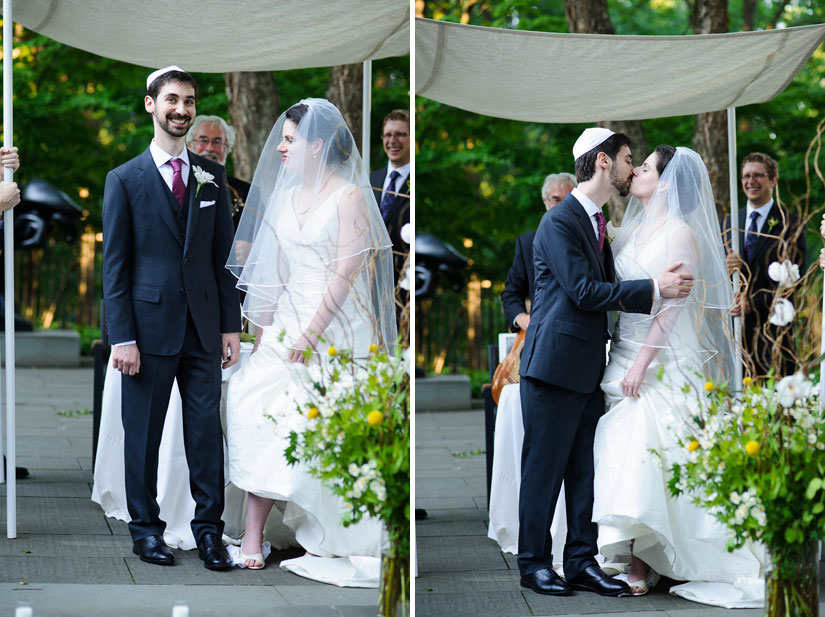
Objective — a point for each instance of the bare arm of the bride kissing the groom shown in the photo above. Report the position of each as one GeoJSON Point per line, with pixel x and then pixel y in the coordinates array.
{"type": "Point", "coordinates": [683, 248]}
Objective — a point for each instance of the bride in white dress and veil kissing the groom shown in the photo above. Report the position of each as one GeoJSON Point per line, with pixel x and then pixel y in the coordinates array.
{"type": "Point", "coordinates": [652, 357]}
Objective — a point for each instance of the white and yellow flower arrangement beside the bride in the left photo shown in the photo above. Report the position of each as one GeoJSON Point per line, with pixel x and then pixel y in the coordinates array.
{"type": "Point", "coordinates": [357, 441]}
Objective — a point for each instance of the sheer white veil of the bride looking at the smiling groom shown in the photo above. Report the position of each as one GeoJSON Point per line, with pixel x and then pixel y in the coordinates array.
{"type": "Point", "coordinates": [322, 172]}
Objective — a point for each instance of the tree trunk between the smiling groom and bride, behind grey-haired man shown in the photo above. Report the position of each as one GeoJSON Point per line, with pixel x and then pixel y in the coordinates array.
{"type": "Point", "coordinates": [253, 108]}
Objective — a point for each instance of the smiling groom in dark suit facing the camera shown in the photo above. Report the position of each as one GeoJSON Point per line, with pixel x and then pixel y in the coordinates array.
{"type": "Point", "coordinates": [172, 311]}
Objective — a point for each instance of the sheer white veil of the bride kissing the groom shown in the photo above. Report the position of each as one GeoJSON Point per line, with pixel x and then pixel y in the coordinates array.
{"type": "Point", "coordinates": [681, 222]}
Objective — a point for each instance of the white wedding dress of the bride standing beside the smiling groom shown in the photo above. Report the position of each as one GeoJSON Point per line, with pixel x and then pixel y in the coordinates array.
{"type": "Point", "coordinates": [261, 408]}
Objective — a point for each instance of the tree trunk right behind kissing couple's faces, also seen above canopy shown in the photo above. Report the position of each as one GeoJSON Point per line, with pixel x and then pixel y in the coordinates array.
{"type": "Point", "coordinates": [592, 17]}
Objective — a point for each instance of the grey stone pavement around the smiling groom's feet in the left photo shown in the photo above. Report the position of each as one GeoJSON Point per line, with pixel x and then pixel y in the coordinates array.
{"type": "Point", "coordinates": [70, 560]}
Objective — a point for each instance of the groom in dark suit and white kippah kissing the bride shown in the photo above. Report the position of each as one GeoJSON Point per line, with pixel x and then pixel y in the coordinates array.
{"type": "Point", "coordinates": [563, 362]}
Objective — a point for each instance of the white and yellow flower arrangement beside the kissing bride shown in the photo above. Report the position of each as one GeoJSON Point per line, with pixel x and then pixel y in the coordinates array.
{"type": "Point", "coordinates": [756, 461]}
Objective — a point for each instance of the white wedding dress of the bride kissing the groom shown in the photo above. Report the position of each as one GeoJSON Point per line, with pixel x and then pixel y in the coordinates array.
{"type": "Point", "coordinates": [672, 535]}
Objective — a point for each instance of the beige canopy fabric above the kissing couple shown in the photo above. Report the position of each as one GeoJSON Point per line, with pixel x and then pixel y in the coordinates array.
{"type": "Point", "coordinates": [566, 78]}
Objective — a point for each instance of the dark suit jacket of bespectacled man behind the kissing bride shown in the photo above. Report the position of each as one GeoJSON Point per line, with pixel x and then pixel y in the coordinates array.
{"type": "Point", "coordinates": [761, 288]}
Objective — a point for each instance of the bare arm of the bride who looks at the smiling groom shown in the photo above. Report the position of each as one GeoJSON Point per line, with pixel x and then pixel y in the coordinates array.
{"type": "Point", "coordinates": [353, 237]}
